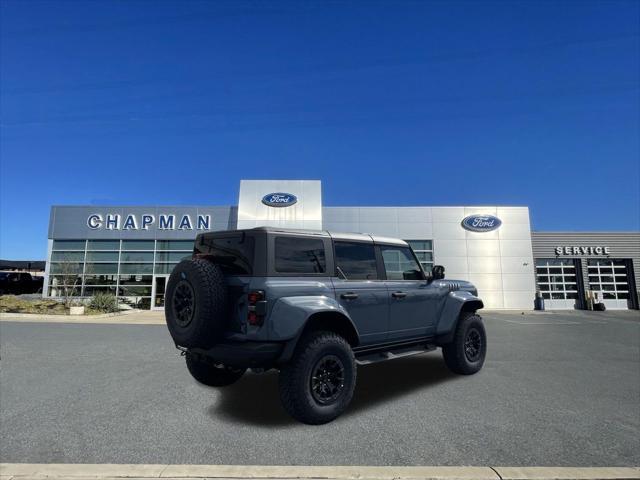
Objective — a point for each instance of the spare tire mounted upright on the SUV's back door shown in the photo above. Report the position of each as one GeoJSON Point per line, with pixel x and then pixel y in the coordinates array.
{"type": "Point", "coordinates": [196, 303]}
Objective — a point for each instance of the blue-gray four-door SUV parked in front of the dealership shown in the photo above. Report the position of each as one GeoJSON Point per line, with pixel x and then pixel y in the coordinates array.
{"type": "Point", "coordinates": [314, 305]}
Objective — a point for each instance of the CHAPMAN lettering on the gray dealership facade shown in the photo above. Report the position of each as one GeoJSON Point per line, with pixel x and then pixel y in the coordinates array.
{"type": "Point", "coordinates": [145, 222]}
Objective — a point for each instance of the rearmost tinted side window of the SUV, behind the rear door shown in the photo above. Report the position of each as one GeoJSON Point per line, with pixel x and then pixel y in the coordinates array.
{"type": "Point", "coordinates": [299, 255]}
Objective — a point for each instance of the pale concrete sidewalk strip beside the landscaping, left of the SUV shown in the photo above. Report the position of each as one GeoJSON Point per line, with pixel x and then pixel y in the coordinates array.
{"type": "Point", "coordinates": [127, 317]}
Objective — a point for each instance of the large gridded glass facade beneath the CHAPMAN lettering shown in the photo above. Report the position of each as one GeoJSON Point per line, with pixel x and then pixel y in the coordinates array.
{"type": "Point", "coordinates": [125, 268]}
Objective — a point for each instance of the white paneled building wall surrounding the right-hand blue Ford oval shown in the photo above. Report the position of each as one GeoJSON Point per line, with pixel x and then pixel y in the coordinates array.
{"type": "Point", "coordinates": [499, 263]}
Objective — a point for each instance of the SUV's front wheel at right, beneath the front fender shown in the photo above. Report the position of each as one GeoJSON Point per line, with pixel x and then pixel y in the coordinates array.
{"type": "Point", "coordinates": [466, 353]}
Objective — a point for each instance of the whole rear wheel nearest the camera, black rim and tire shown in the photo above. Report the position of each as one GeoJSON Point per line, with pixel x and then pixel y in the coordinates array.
{"type": "Point", "coordinates": [318, 384]}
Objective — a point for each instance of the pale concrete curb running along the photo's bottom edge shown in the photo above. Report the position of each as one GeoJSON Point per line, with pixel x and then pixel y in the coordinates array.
{"type": "Point", "coordinates": [23, 471]}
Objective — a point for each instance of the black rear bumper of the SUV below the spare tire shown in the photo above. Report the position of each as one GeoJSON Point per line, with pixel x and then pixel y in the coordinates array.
{"type": "Point", "coordinates": [243, 354]}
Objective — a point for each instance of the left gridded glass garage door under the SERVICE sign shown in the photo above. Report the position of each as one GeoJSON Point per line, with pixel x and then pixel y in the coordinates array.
{"type": "Point", "coordinates": [556, 278]}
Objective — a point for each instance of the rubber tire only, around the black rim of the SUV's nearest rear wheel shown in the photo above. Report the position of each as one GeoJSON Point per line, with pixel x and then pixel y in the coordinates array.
{"type": "Point", "coordinates": [295, 382]}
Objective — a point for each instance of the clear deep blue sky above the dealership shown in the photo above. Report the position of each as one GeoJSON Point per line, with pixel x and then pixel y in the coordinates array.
{"type": "Point", "coordinates": [388, 103]}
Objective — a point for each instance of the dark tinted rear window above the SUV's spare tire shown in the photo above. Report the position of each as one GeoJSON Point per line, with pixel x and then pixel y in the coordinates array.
{"type": "Point", "coordinates": [233, 252]}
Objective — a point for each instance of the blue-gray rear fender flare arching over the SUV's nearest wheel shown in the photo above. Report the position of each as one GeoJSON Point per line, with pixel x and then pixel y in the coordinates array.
{"type": "Point", "coordinates": [295, 313]}
